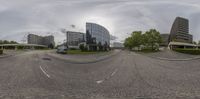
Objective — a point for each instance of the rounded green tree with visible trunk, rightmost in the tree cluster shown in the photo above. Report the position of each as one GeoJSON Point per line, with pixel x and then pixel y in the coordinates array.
{"type": "Point", "coordinates": [151, 38]}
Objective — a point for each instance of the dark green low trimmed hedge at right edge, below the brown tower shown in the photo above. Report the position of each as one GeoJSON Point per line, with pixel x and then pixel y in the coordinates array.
{"type": "Point", "coordinates": [188, 51]}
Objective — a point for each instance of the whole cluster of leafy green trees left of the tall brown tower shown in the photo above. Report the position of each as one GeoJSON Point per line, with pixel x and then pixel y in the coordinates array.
{"type": "Point", "coordinates": [148, 40]}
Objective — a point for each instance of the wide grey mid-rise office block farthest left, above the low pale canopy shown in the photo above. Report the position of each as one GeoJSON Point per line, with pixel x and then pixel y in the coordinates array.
{"type": "Point", "coordinates": [41, 40]}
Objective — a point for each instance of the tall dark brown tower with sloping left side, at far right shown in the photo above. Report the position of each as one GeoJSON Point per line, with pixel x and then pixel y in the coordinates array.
{"type": "Point", "coordinates": [180, 31]}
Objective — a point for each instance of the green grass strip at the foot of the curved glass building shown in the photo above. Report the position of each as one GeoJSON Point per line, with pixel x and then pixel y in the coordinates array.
{"type": "Point", "coordinates": [85, 52]}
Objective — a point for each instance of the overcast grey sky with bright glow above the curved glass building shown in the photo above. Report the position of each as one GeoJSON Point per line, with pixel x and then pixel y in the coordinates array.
{"type": "Point", "coordinates": [120, 17]}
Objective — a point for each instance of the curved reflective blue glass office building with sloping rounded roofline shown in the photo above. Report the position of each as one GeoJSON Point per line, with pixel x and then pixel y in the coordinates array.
{"type": "Point", "coordinates": [97, 35]}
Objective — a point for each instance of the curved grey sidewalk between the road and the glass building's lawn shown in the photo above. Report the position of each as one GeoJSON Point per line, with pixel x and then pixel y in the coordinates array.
{"type": "Point", "coordinates": [81, 59]}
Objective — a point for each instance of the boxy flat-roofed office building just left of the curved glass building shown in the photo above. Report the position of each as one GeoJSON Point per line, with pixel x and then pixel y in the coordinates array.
{"type": "Point", "coordinates": [75, 38]}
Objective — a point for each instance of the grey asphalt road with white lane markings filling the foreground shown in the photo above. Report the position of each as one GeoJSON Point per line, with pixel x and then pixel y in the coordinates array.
{"type": "Point", "coordinates": [34, 75]}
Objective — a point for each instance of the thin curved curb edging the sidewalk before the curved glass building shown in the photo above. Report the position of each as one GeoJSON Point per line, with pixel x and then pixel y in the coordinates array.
{"type": "Point", "coordinates": [84, 62]}
